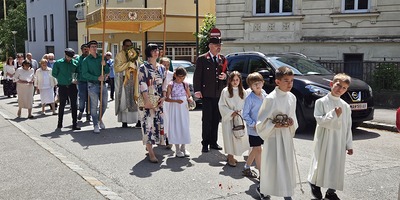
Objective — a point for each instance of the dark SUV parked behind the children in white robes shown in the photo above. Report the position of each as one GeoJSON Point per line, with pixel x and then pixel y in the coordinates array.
{"type": "Point", "coordinates": [311, 82]}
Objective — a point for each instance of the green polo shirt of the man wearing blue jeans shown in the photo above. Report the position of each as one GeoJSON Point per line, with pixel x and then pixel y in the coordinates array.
{"type": "Point", "coordinates": [91, 68]}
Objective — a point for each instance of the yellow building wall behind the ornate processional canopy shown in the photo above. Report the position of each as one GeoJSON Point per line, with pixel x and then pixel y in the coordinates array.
{"type": "Point", "coordinates": [180, 25]}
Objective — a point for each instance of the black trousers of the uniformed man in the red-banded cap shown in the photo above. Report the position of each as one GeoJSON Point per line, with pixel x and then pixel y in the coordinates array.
{"type": "Point", "coordinates": [210, 118]}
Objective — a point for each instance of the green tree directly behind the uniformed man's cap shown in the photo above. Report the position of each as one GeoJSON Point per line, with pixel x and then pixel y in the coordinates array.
{"type": "Point", "coordinates": [204, 34]}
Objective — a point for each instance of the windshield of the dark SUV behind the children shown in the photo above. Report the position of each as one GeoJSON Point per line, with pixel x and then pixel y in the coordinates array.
{"type": "Point", "coordinates": [300, 65]}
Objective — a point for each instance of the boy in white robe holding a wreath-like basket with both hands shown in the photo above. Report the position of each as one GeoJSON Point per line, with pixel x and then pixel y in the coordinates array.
{"type": "Point", "coordinates": [277, 174]}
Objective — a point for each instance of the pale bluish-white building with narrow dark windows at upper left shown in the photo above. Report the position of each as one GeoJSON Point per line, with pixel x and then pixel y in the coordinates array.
{"type": "Point", "coordinates": [51, 27]}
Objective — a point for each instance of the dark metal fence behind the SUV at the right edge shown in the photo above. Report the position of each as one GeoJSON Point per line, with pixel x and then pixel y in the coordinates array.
{"type": "Point", "coordinates": [389, 72]}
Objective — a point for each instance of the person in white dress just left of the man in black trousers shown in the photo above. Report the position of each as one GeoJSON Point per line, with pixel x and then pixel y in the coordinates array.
{"type": "Point", "coordinates": [45, 83]}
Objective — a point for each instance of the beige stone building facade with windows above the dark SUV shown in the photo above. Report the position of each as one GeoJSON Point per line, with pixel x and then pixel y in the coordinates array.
{"type": "Point", "coordinates": [346, 30]}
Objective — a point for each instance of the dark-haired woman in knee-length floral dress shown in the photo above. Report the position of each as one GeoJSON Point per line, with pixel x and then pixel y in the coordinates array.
{"type": "Point", "coordinates": [151, 76]}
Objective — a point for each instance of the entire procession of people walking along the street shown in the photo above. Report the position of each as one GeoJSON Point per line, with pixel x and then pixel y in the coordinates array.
{"type": "Point", "coordinates": [155, 96]}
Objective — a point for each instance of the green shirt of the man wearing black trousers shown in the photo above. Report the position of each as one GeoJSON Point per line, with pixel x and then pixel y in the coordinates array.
{"type": "Point", "coordinates": [62, 71]}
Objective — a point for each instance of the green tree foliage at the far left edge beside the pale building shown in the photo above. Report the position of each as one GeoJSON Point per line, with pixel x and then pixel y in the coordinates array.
{"type": "Point", "coordinates": [15, 21]}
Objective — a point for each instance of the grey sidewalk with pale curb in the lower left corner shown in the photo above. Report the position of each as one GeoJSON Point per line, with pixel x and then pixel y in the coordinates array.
{"type": "Point", "coordinates": [29, 171]}
